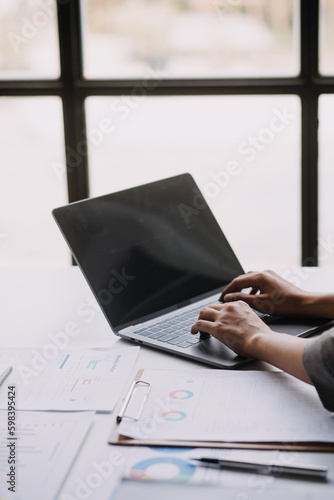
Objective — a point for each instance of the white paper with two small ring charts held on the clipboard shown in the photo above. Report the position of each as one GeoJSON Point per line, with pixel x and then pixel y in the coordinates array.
{"type": "Point", "coordinates": [217, 405]}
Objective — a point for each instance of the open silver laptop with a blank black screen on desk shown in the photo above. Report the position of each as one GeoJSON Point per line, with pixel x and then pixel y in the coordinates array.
{"type": "Point", "coordinates": [153, 256]}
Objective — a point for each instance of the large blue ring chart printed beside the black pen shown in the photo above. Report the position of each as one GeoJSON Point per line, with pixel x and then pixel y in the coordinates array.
{"type": "Point", "coordinates": [166, 468]}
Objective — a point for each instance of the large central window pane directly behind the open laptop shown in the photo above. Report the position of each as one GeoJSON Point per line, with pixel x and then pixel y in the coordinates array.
{"type": "Point", "coordinates": [244, 152]}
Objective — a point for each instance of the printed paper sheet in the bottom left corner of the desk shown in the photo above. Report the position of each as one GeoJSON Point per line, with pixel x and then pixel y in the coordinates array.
{"type": "Point", "coordinates": [45, 446]}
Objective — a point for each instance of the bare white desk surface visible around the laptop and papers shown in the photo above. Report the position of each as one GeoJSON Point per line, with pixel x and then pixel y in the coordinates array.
{"type": "Point", "coordinates": [35, 302]}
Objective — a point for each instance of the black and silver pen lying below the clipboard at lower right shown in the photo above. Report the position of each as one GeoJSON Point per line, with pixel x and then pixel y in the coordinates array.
{"type": "Point", "coordinates": [276, 468]}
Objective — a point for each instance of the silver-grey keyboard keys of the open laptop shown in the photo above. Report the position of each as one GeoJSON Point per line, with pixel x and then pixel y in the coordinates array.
{"type": "Point", "coordinates": [176, 330]}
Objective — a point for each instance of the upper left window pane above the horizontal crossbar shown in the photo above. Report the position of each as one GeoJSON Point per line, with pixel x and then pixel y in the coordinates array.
{"type": "Point", "coordinates": [28, 39]}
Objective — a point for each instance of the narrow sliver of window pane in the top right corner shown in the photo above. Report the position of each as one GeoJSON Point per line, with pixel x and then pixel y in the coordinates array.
{"type": "Point", "coordinates": [326, 62]}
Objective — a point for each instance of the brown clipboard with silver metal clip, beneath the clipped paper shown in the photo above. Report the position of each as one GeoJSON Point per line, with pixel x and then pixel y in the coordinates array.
{"type": "Point", "coordinates": [116, 438]}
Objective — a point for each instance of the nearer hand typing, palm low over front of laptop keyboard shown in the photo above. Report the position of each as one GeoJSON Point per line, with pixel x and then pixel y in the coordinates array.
{"type": "Point", "coordinates": [235, 325]}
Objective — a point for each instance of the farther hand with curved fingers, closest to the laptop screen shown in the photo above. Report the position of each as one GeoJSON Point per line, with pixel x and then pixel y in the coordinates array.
{"type": "Point", "coordinates": [269, 293]}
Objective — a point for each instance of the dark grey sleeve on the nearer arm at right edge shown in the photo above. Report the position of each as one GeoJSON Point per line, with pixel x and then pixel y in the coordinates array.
{"type": "Point", "coordinates": [318, 360]}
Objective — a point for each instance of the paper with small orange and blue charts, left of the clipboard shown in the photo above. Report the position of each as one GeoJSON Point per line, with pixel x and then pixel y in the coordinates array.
{"type": "Point", "coordinates": [85, 379]}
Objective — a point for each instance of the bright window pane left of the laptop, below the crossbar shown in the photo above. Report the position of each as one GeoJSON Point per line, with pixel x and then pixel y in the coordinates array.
{"type": "Point", "coordinates": [32, 181]}
